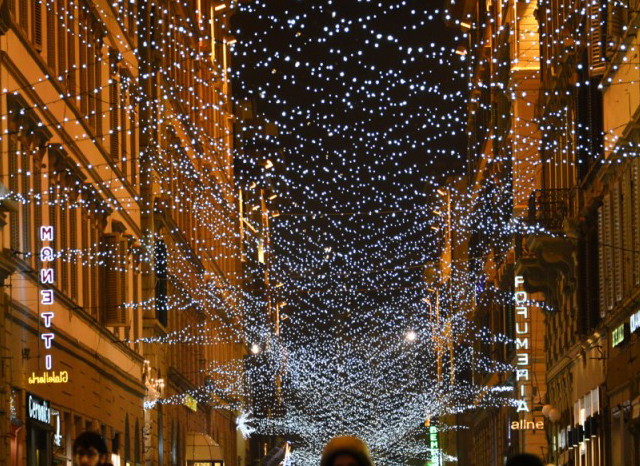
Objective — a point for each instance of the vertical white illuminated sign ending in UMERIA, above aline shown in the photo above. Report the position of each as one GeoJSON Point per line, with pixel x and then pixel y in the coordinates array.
{"type": "Point", "coordinates": [522, 344]}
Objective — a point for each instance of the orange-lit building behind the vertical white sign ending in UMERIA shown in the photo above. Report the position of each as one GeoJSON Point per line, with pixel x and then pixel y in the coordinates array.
{"type": "Point", "coordinates": [500, 46]}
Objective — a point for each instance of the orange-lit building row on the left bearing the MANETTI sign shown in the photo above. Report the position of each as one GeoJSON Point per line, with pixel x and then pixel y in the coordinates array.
{"type": "Point", "coordinates": [118, 232]}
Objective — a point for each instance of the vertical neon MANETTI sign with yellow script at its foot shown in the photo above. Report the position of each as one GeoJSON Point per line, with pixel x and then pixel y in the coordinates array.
{"type": "Point", "coordinates": [47, 299]}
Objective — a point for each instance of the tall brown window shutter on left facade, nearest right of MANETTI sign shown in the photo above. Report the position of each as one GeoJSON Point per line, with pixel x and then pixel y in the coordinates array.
{"type": "Point", "coordinates": [114, 313]}
